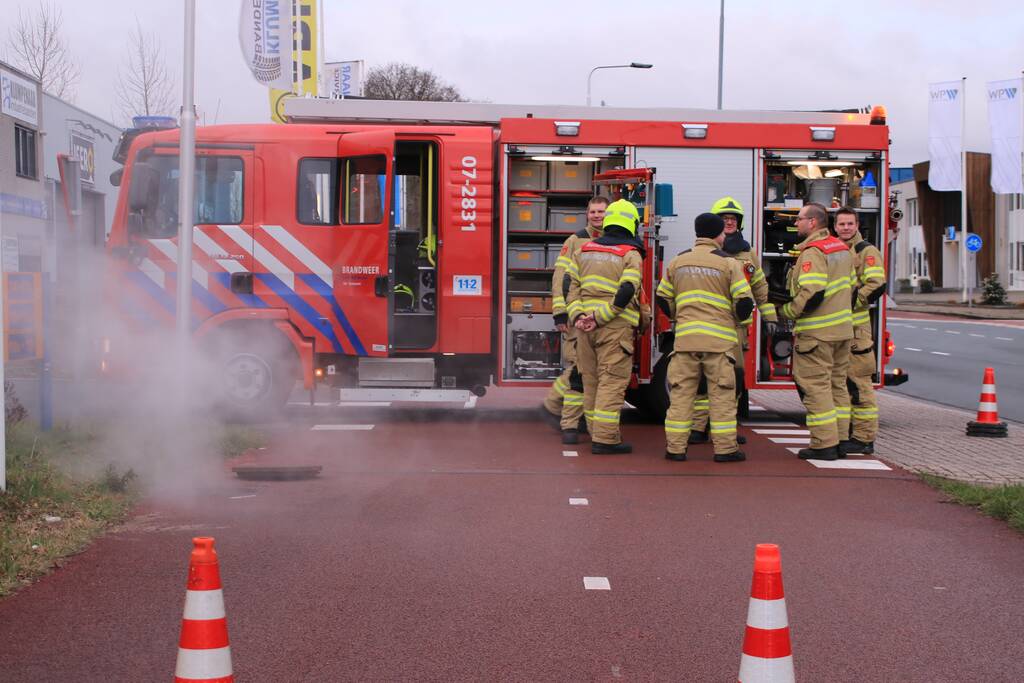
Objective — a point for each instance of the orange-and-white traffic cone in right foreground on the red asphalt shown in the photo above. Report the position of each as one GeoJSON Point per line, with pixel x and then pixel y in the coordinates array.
{"type": "Point", "coordinates": [767, 654]}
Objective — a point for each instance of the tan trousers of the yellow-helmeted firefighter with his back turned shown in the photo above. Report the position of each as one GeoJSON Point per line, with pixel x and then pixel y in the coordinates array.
{"type": "Point", "coordinates": [605, 359]}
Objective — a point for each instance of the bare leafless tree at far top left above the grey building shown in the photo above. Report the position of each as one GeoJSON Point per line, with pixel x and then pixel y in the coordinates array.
{"type": "Point", "coordinates": [41, 51]}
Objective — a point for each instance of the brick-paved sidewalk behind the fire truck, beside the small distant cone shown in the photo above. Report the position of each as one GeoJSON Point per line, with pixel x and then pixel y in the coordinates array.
{"type": "Point", "coordinates": [926, 438]}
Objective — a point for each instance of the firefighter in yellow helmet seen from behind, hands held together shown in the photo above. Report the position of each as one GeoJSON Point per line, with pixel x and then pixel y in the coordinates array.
{"type": "Point", "coordinates": [603, 303]}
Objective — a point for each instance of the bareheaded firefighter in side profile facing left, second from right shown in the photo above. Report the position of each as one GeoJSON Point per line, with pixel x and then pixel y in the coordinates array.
{"type": "Point", "coordinates": [820, 285]}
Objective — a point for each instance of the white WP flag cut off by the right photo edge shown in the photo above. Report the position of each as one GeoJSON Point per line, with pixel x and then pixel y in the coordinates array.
{"type": "Point", "coordinates": [1006, 114]}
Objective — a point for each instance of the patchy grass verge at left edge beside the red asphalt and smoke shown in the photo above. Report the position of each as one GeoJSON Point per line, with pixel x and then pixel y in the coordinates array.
{"type": "Point", "coordinates": [48, 515]}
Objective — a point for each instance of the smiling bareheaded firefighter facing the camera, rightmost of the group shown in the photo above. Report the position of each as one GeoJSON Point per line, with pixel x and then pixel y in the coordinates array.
{"type": "Point", "coordinates": [869, 288]}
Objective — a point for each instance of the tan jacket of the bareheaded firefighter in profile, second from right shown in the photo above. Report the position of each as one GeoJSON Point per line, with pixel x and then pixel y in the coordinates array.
{"type": "Point", "coordinates": [821, 285]}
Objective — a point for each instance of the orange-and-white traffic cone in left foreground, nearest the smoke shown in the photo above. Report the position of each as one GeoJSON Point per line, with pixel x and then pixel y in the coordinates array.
{"type": "Point", "coordinates": [204, 654]}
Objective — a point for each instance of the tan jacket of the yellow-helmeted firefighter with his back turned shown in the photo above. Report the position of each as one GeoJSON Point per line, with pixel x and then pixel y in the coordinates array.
{"type": "Point", "coordinates": [598, 273]}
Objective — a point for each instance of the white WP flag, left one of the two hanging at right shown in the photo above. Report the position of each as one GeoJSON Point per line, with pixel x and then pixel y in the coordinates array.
{"type": "Point", "coordinates": [946, 135]}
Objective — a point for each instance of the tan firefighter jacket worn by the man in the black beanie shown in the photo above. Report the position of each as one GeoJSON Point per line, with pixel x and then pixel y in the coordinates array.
{"type": "Point", "coordinates": [707, 295]}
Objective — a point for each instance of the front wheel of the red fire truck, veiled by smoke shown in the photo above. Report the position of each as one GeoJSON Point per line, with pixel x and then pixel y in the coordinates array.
{"type": "Point", "coordinates": [254, 373]}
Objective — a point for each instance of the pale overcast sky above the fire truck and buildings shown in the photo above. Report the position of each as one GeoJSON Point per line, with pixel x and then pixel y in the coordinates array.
{"type": "Point", "coordinates": [780, 55]}
